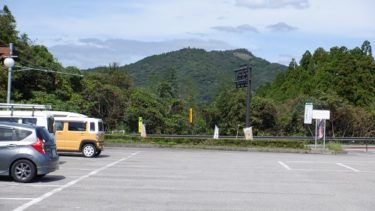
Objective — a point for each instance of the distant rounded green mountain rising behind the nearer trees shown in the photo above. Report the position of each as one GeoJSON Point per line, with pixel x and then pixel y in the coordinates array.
{"type": "Point", "coordinates": [199, 71]}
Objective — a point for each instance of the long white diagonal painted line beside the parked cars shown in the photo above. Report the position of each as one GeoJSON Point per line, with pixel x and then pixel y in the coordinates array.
{"type": "Point", "coordinates": [69, 184]}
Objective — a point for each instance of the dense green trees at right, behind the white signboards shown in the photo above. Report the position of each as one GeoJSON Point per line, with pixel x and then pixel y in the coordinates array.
{"type": "Point", "coordinates": [339, 80]}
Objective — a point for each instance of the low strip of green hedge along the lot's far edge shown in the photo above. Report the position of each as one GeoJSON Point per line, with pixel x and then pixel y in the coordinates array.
{"type": "Point", "coordinates": [289, 144]}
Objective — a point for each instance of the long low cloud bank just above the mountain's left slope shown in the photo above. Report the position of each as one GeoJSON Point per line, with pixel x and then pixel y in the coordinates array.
{"type": "Point", "coordinates": [91, 52]}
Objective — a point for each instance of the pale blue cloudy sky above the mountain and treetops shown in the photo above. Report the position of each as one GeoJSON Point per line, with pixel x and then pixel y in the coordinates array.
{"type": "Point", "coordinates": [91, 33]}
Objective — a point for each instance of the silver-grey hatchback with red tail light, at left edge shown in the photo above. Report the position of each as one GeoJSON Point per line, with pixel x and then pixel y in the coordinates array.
{"type": "Point", "coordinates": [26, 151]}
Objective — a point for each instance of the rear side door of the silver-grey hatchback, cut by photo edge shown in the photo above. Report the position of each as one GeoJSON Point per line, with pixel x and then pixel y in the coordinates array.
{"type": "Point", "coordinates": [8, 148]}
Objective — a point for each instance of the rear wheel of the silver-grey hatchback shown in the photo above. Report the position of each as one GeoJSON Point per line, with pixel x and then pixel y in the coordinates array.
{"type": "Point", "coordinates": [23, 171]}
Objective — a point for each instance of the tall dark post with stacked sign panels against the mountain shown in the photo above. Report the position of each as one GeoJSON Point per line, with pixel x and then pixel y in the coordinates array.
{"type": "Point", "coordinates": [243, 79]}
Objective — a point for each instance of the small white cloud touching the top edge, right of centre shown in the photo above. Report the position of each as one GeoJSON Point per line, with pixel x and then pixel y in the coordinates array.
{"type": "Point", "coordinates": [273, 4]}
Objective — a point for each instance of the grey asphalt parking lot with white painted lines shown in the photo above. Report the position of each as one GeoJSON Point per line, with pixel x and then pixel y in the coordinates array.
{"type": "Point", "coordinates": [178, 179]}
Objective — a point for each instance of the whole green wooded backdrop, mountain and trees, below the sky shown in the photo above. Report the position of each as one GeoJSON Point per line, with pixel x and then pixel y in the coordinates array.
{"type": "Point", "coordinates": [341, 80]}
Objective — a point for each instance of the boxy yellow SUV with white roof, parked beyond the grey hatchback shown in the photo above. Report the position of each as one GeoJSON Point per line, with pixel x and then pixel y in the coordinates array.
{"type": "Point", "coordinates": [79, 134]}
